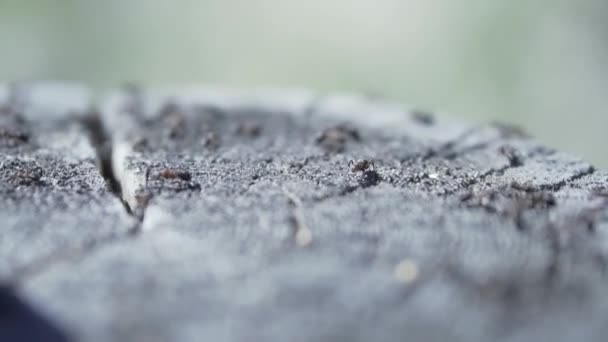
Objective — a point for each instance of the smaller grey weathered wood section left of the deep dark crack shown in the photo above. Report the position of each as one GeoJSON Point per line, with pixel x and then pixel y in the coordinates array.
{"type": "Point", "coordinates": [53, 200]}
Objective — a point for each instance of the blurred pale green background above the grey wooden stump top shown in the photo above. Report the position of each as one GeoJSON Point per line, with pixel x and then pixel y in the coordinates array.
{"type": "Point", "coordinates": [542, 64]}
